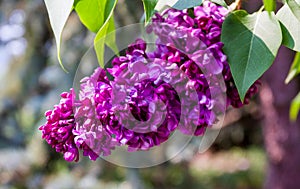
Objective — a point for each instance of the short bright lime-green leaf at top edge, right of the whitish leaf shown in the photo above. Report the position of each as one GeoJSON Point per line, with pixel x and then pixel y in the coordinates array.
{"type": "Point", "coordinates": [90, 13]}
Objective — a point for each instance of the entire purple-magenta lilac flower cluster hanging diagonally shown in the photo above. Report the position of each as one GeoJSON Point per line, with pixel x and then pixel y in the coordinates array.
{"type": "Point", "coordinates": [151, 93]}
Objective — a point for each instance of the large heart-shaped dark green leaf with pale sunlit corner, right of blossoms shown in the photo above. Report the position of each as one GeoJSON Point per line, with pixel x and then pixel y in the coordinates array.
{"type": "Point", "coordinates": [251, 43]}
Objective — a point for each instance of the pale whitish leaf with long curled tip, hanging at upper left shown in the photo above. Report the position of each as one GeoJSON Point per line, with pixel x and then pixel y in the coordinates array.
{"type": "Point", "coordinates": [58, 12]}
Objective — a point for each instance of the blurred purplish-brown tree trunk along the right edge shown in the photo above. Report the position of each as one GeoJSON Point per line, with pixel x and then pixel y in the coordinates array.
{"type": "Point", "coordinates": [282, 138]}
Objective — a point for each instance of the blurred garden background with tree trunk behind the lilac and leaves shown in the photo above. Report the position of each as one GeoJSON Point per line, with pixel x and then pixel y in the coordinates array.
{"type": "Point", "coordinates": [257, 148]}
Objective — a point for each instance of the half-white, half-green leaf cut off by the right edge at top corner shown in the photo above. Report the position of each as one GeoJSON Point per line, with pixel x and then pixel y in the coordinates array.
{"type": "Point", "coordinates": [290, 25]}
